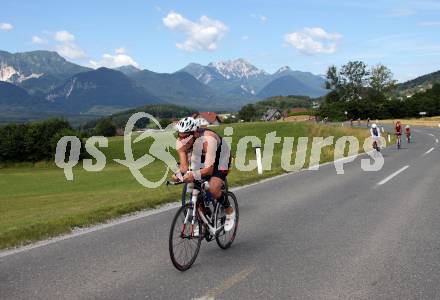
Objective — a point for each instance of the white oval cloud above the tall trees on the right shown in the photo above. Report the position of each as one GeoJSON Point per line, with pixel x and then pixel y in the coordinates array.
{"type": "Point", "coordinates": [313, 40]}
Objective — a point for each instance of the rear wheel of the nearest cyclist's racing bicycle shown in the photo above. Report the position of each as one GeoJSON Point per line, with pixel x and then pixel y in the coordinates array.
{"type": "Point", "coordinates": [225, 239]}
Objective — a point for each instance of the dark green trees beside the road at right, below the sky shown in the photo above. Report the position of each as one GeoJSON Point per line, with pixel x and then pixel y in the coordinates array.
{"type": "Point", "coordinates": [356, 91]}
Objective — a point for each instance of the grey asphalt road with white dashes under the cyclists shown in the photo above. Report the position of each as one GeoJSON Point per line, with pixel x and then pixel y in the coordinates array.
{"type": "Point", "coordinates": [307, 235]}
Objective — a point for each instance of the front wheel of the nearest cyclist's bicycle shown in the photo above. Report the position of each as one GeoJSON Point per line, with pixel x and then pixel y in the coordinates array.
{"type": "Point", "coordinates": [184, 243]}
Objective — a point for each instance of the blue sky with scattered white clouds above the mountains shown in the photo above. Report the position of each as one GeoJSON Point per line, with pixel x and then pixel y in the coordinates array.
{"type": "Point", "coordinates": [164, 36]}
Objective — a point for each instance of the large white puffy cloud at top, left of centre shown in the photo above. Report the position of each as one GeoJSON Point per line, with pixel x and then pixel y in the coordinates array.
{"type": "Point", "coordinates": [203, 35]}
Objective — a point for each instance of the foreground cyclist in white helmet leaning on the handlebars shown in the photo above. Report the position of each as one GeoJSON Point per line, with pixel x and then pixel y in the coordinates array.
{"type": "Point", "coordinates": [214, 157]}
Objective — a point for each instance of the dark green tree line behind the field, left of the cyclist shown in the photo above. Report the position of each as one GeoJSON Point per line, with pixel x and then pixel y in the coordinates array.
{"type": "Point", "coordinates": [37, 141]}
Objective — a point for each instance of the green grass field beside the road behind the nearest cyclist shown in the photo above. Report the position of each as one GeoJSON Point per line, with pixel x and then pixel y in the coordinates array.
{"type": "Point", "coordinates": [37, 202]}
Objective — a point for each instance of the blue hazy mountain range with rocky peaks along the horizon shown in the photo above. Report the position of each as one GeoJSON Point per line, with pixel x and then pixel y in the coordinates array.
{"type": "Point", "coordinates": [41, 83]}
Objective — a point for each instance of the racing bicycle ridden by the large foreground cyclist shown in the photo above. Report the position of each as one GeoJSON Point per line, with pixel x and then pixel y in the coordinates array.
{"type": "Point", "coordinates": [197, 219]}
